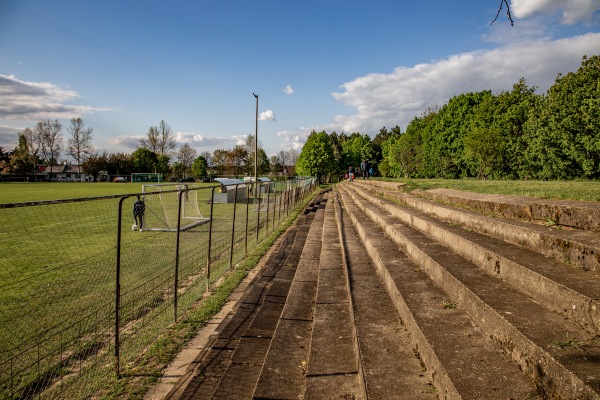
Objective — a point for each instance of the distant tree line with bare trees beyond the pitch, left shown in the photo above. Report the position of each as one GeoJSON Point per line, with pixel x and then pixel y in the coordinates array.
{"type": "Point", "coordinates": [157, 152]}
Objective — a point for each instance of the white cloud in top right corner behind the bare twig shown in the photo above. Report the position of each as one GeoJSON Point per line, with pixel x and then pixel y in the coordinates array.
{"type": "Point", "coordinates": [573, 11]}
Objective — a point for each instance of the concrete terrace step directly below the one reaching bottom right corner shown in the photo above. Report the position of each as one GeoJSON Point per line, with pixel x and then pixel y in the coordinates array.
{"type": "Point", "coordinates": [460, 360]}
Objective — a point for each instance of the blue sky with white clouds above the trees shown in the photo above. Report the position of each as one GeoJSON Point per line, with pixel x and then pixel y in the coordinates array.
{"type": "Point", "coordinates": [345, 66]}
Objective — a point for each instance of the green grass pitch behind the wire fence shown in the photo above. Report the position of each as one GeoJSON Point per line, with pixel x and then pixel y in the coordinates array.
{"type": "Point", "coordinates": [57, 273]}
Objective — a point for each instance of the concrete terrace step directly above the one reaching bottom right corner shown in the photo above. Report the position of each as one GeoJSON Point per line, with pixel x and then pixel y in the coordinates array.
{"type": "Point", "coordinates": [571, 292]}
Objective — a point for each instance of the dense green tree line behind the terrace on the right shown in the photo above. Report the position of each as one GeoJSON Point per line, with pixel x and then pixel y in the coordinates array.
{"type": "Point", "coordinates": [514, 134]}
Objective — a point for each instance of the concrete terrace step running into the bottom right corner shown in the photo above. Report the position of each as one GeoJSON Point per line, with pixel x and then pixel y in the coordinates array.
{"type": "Point", "coordinates": [557, 354]}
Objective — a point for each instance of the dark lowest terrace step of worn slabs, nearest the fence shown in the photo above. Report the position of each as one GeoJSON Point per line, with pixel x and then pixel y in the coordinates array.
{"type": "Point", "coordinates": [232, 364]}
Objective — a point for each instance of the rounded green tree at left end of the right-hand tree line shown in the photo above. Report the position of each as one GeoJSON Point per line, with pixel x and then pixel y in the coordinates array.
{"type": "Point", "coordinates": [316, 158]}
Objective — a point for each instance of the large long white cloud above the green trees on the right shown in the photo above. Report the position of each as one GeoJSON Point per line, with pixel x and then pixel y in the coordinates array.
{"type": "Point", "coordinates": [394, 99]}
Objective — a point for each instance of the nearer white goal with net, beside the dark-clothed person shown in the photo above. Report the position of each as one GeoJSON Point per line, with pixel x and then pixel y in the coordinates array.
{"type": "Point", "coordinates": [162, 207]}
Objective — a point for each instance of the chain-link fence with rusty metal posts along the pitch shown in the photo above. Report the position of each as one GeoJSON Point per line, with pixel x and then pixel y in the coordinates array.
{"type": "Point", "coordinates": [86, 285]}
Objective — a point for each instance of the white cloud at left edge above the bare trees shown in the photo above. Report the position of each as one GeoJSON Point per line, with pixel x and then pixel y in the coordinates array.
{"type": "Point", "coordinates": [32, 101]}
